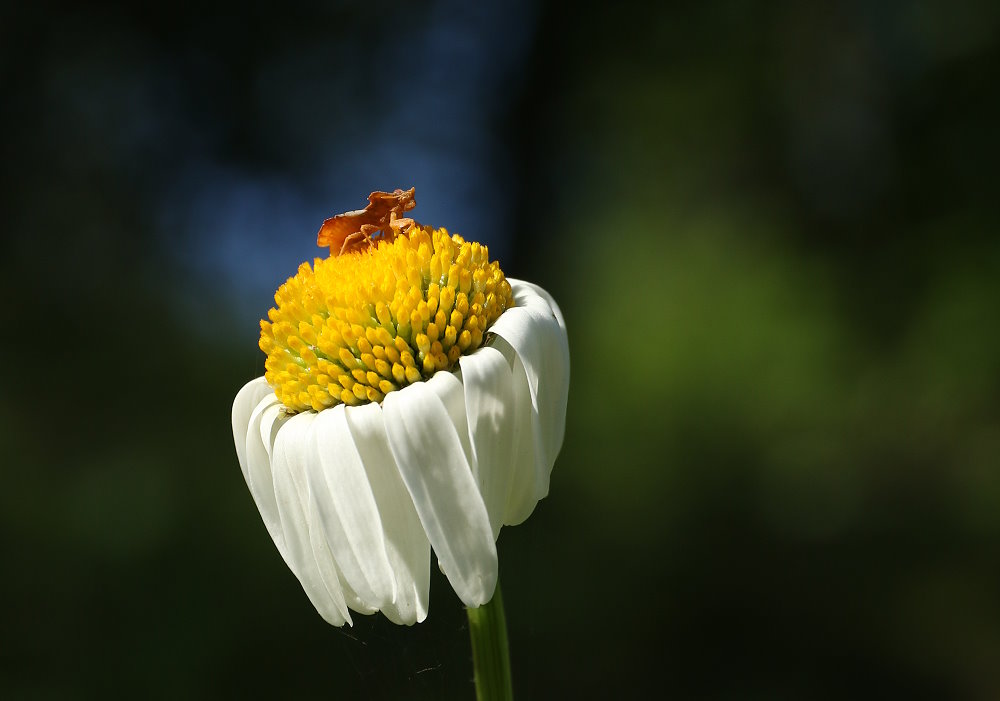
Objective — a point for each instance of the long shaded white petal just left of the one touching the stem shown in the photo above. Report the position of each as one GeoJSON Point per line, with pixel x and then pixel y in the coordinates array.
{"type": "Point", "coordinates": [406, 544]}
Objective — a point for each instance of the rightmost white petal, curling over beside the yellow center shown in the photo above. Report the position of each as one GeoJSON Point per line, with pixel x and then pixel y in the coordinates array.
{"type": "Point", "coordinates": [536, 332]}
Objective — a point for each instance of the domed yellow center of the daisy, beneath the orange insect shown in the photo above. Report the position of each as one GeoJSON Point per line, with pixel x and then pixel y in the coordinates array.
{"type": "Point", "coordinates": [354, 327]}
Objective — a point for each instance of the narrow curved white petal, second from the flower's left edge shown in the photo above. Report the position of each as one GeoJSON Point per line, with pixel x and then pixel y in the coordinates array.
{"type": "Point", "coordinates": [258, 463]}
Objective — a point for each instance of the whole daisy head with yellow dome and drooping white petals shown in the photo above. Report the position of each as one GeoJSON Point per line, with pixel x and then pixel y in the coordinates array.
{"type": "Point", "coordinates": [414, 398]}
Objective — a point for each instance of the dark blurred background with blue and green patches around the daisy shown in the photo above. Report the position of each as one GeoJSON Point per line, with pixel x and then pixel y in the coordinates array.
{"type": "Point", "coordinates": [773, 230]}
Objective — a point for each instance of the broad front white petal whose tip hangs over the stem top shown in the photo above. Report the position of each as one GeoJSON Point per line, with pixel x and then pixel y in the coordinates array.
{"type": "Point", "coordinates": [436, 471]}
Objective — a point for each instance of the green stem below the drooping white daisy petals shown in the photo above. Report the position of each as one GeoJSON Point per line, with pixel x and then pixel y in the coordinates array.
{"type": "Point", "coordinates": [490, 655]}
